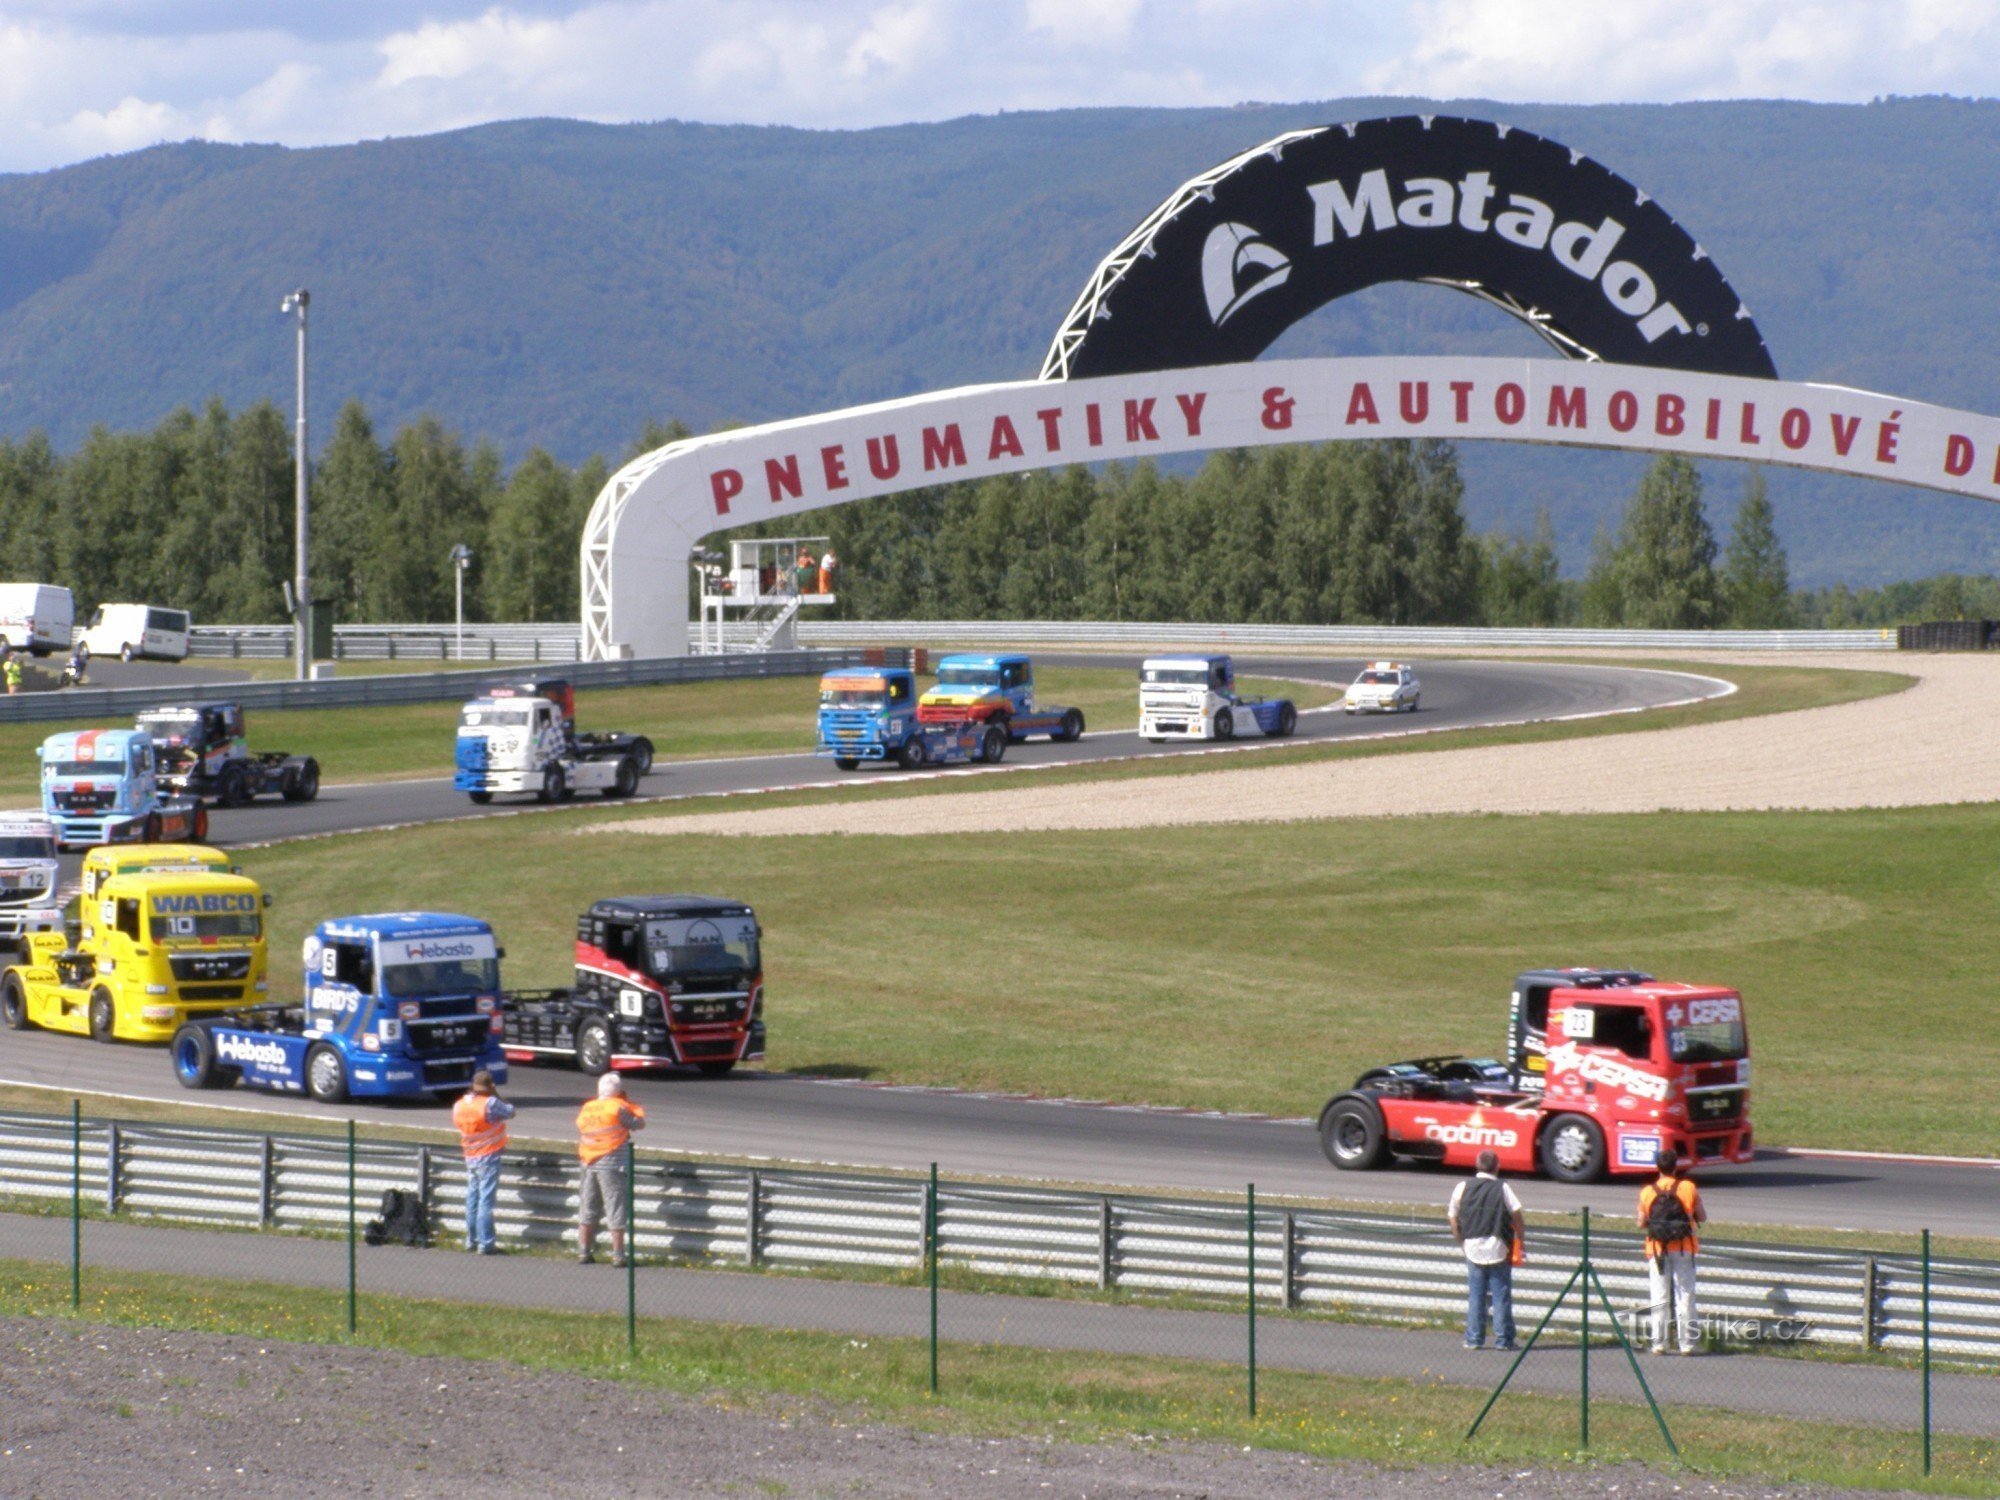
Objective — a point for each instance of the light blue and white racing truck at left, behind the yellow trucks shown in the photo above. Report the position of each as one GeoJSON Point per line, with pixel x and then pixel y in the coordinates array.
{"type": "Point", "coordinates": [103, 787]}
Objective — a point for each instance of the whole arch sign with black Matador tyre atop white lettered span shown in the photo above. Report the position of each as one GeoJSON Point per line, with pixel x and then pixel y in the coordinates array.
{"type": "Point", "coordinates": [1161, 357]}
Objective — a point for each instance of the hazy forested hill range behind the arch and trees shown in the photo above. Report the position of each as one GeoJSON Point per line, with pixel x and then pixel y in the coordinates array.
{"type": "Point", "coordinates": [555, 283]}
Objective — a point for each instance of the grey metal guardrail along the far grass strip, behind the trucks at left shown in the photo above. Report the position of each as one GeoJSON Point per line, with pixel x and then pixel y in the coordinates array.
{"type": "Point", "coordinates": [119, 705]}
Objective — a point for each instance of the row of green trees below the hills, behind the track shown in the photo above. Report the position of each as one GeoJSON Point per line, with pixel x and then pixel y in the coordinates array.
{"type": "Point", "coordinates": [199, 515]}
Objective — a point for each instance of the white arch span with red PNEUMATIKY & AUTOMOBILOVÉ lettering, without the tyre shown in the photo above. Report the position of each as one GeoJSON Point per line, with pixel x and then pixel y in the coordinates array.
{"type": "Point", "coordinates": [651, 517]}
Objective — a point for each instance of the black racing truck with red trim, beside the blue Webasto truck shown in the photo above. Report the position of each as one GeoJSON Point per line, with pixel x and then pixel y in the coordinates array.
{"type": "Point", "coordinates": [661, 981]}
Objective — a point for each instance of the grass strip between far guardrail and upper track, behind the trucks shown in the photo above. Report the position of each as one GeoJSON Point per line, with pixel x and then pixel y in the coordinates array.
{"type": "Point", "coordinates": [687, 721]}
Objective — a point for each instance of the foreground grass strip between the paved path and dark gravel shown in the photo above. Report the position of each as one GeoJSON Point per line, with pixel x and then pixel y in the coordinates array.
{"type": "Point", "coordinates": [1001, 1391]}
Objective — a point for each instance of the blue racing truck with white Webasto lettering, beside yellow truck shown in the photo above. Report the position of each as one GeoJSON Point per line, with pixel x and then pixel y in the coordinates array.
{"type": "Point", "coordinates": [395, 1007]}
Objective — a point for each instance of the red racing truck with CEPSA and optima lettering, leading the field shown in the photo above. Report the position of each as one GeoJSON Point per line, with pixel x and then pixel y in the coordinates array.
{"type": "Point", "coordinates": [1607, 1069]}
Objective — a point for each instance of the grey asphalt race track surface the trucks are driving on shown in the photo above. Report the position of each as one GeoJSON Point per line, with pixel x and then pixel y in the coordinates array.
{"type": "Point", "coordinates": [793, 1119]}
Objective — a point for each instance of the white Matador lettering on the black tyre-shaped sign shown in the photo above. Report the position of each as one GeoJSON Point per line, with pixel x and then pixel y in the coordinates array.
{"type": "Point", "coordinates": [1435, 203]}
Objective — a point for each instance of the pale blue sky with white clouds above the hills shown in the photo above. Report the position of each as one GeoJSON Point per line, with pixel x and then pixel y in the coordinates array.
{"type": "Point", "coordinates": [89, 77]}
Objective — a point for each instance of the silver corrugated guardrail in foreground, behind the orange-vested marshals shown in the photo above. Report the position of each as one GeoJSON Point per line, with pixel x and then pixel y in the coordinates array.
{"type": "Point", "coordinates": [1317, 1259]}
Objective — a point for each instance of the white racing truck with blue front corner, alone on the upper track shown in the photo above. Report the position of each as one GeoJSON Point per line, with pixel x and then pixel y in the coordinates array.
{"type": "Point", "coordinates": [523, 739]}
